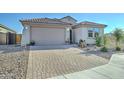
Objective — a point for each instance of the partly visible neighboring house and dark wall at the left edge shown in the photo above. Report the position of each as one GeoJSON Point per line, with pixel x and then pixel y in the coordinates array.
{"type": "Point", "coordinates": [7, 35]}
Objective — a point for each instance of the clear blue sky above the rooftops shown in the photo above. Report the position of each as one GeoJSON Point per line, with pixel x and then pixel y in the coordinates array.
{"type": "Point", "coordinates": [113, 20]}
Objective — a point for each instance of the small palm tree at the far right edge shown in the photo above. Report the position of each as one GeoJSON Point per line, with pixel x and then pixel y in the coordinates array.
{"type": "Point", "coordinates": [118, 33]}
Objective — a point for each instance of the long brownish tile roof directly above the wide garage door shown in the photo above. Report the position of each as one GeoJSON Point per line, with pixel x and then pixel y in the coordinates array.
{"type": "Point", "coordinates": [46, 21]}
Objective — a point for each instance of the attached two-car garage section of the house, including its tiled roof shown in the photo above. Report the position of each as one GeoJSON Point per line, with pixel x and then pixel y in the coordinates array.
{"type": "Point", "coordinates": [44, 31]}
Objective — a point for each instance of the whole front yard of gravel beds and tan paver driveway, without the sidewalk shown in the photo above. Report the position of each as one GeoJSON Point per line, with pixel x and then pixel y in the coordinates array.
{"type": "Point", "coordinates": [17, 63]}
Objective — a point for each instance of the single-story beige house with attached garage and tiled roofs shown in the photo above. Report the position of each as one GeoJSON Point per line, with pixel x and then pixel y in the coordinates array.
{"type": "Point", "coordinates": [46, 31]}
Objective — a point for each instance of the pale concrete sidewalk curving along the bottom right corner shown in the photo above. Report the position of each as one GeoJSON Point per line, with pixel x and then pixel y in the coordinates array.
{"type": "Point", "coordinates": [113, 70]}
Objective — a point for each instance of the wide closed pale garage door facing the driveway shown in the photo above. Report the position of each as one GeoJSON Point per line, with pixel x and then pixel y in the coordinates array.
{"type": "Point", "coordinates": [47, 36]}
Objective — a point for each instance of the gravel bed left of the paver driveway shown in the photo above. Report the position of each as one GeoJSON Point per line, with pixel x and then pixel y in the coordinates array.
{"type": "Point", "coordinates": [13, 62]}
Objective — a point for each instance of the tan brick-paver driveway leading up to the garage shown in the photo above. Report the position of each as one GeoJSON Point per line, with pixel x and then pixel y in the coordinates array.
{"type": "Point", "coordinates": [49, 63]}
